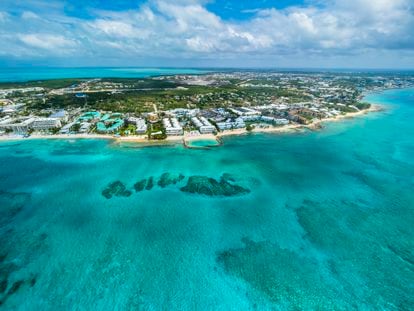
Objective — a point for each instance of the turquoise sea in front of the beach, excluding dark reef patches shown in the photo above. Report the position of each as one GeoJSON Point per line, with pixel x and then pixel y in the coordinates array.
{"type": "Point", "coordinates": [327, 225]}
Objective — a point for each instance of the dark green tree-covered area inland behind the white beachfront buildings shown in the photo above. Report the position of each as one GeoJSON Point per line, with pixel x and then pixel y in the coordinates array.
{"type": "Point", "coordinates": [146, 95]}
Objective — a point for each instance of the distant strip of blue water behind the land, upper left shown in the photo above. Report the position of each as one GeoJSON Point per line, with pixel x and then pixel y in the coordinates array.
{"type": "Point", "coordinates": [46, 73]}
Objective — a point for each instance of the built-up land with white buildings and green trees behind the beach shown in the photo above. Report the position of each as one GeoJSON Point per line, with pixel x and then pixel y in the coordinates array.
{"type": "Point", "coordinates": [185, 105]}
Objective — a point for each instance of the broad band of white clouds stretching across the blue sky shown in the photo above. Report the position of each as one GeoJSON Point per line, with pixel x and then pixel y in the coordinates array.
{"type": "Point", "coordinates": [186, 29]}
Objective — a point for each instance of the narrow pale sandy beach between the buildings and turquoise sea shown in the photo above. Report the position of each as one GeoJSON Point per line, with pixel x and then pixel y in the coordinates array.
{"type": "Point", "coordinates": [184, 139]}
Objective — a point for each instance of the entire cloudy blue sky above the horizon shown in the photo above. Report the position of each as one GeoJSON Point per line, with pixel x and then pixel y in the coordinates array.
{"type": "Point", "coordinates": [203, 33]}
